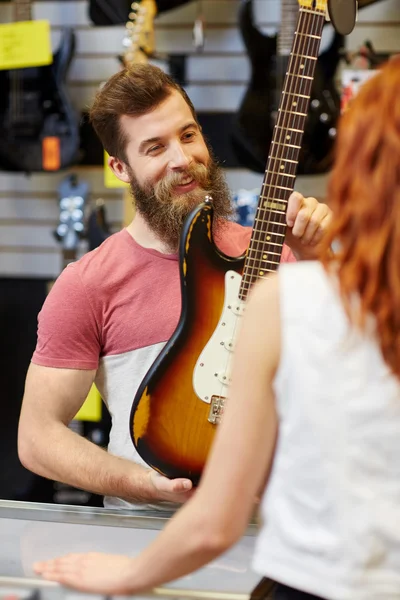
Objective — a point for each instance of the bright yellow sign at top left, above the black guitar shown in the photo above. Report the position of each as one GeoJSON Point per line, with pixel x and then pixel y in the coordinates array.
{"type": "Point", "coordinates": [25, 44]}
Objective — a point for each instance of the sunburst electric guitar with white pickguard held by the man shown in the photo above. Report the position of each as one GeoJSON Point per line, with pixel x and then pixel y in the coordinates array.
{"type": "Point", "coordinates": [181, 399]}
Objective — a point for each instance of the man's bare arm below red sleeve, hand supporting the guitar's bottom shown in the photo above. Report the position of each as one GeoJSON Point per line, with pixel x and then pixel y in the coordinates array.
{"type": "Point", "coordinates": [49, 448]}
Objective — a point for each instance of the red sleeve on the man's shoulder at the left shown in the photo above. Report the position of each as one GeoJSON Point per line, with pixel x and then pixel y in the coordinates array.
{"type": "Point", "coordinates": [68, 333]}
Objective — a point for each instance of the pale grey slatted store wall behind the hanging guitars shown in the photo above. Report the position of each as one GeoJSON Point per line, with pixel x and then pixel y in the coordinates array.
{"type": "Point", "coordinates": [216, 81]}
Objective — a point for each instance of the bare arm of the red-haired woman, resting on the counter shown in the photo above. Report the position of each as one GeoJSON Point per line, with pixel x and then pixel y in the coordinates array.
{"type": "Point", "coordinates": [238, 466]}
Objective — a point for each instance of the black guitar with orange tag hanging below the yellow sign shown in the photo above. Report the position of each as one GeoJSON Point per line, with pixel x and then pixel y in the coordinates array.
{"type": "Point", "coordinates": [38, 127]}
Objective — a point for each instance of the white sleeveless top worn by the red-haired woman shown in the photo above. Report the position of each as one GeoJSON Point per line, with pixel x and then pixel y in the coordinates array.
{"type": "Point", "coordinates": [331, 511]}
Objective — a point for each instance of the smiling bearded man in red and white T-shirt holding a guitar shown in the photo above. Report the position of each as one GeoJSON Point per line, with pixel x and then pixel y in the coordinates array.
{"type": "Point", "coordinates": [109, 314]}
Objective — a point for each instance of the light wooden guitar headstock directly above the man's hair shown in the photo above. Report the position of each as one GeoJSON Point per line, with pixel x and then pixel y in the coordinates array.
{"type": "Point", "coordinates": [139, 33]}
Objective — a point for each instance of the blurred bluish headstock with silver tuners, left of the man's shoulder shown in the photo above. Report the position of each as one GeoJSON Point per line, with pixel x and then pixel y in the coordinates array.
{"type": "Point", "coordinates": [72, 197]}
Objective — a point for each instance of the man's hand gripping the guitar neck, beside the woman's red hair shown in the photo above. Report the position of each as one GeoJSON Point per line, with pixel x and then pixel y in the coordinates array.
{"type": "Point", "coordinates": [308, 221]}
